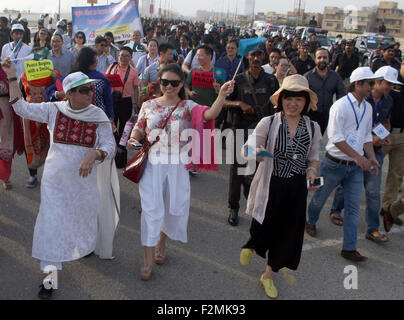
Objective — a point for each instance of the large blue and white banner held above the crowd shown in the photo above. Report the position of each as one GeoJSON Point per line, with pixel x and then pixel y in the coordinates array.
{"type": "Point", "coordinates": [119, 18]}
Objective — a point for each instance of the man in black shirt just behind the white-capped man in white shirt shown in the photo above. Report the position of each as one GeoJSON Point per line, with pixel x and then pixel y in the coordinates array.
{"type": "Point", "coordinates": [346, 62]}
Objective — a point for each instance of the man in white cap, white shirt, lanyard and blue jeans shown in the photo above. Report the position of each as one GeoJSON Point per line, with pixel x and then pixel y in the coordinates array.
{"type": "Point", "coordinates": [349, 139]}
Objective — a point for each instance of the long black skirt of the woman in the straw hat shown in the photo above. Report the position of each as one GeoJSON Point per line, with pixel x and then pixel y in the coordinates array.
{"type": "Point", "coordinates": [282, 232]}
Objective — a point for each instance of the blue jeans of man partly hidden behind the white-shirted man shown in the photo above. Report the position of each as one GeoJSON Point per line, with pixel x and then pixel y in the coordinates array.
{"type": "Point", "coordinates": [373, 198]}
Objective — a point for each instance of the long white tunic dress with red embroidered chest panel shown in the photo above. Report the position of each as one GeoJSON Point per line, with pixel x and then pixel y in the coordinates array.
{"type": "Point", "coordinates": [66, 226]}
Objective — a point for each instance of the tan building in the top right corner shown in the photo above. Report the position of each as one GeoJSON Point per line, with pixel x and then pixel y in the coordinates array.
{"type": "Point", "coordinates": [393, 17]}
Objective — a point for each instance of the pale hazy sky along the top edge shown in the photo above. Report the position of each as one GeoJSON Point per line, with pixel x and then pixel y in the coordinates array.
{"type": "Point", "coordinates": [189, 7]}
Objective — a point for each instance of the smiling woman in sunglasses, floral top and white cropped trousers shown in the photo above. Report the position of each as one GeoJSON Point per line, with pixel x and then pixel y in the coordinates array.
{"type": "Point", "coordinates": [164, 188]}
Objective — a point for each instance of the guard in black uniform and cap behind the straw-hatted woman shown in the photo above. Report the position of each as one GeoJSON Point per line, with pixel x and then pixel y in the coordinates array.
{"type": "Point", "coordinates": [249, 103]}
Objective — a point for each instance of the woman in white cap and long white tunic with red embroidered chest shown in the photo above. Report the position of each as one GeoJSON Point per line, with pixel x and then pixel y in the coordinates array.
{"type": "Point", "coordinates": [66, 228]}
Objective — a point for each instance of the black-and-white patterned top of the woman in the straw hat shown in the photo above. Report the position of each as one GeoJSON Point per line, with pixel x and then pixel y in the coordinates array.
{"type": "Point", "coordinates": [291, 154]}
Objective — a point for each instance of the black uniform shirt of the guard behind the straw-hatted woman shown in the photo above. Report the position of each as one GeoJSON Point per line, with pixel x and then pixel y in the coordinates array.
{"type": "Point", "coordinates": [264, 87]}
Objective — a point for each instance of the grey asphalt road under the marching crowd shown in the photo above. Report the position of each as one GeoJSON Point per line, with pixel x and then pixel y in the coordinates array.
{"type": "Point", "coordinates": [205, 268]}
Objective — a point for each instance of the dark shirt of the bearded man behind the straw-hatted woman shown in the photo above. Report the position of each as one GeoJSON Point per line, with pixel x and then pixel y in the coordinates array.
{"type": "Point", "coordinates": [325, 88]}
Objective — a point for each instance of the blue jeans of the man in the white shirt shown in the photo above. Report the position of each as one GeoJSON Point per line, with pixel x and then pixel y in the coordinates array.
{"type": "Point", "coordinates": [351, 178]}
